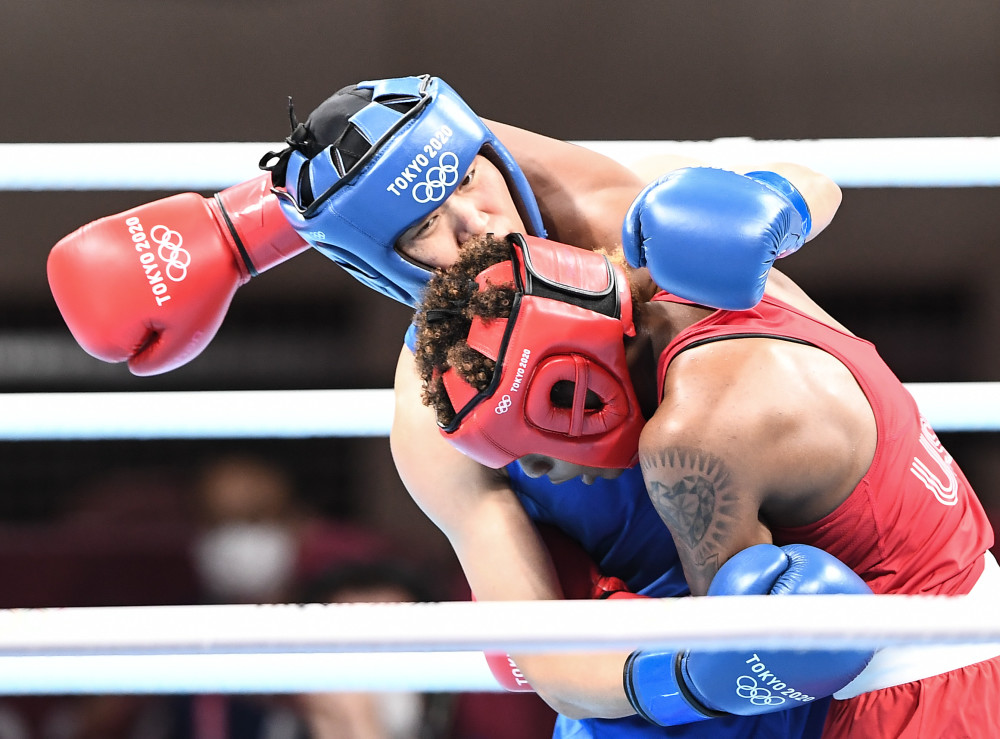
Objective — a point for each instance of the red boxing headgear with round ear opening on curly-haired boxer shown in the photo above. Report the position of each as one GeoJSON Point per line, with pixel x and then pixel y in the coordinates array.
{"type": "Point", "coordinates": [572, 311]}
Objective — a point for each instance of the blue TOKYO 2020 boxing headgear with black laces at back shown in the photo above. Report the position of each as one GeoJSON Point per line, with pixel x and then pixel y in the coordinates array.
{"type": "Point", "coordinates": [376, 158]}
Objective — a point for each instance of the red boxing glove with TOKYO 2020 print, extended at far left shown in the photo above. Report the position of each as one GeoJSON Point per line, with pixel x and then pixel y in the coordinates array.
{"type": "Point", "coordinates": [152, 285]}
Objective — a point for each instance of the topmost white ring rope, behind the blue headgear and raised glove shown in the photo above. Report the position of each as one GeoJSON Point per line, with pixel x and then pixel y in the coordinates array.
{"type": "Point", "coordinates": [876, 162]}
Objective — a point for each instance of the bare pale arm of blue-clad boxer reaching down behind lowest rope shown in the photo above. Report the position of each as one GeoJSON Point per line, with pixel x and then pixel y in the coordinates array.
{"type": "Point", "coordinates": [498, 547]}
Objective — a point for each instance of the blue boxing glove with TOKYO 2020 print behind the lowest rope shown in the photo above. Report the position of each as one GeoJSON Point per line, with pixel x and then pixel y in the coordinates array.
{"type": "Point", "coordinates": [671, 688]}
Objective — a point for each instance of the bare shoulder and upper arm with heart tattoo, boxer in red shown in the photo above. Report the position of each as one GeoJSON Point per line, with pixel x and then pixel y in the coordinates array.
{"type": "Point", "coordinates": [751, 432]}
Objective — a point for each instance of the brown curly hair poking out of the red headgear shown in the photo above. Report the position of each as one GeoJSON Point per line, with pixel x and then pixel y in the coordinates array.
{"type": "Point", "coordinates": [450, 302]}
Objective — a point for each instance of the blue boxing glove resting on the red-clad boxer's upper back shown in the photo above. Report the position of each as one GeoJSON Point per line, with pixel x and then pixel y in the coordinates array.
{"type": "Point", "coordinates": [711, 235]}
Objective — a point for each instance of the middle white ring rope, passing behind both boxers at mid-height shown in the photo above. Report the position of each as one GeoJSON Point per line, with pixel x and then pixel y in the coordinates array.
{"type": "Point", "coordinates": [248, 414]}
